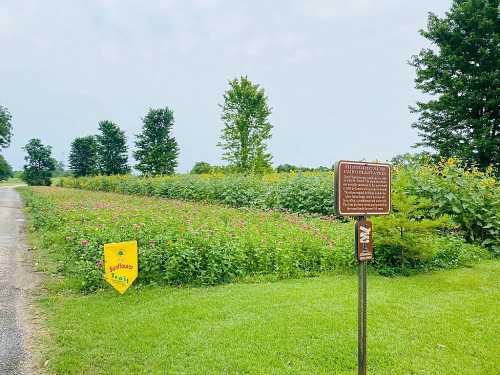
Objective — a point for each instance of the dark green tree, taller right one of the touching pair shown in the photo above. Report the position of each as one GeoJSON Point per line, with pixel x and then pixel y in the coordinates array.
{"type": "Point", "coordinates": [112, 149]}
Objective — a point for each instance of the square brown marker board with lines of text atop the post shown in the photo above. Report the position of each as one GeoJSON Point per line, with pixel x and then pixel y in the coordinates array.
{"type": "Point", "coordinates": [362, 188]}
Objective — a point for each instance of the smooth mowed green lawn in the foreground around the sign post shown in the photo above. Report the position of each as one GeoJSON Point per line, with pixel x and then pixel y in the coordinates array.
{"type": "Point", "coordinates": [446, 322]}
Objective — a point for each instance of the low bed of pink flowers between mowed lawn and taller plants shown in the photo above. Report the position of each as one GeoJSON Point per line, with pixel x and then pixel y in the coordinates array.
{"type": "Point", "coordinates": [193, 243]}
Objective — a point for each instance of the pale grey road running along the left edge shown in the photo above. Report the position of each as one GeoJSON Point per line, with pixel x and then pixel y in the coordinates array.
{"type": "Point", "coordinates": [17, 280]}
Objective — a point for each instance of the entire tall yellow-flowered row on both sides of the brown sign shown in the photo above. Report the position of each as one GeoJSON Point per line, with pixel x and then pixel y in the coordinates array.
{"type": "Point", "coordinates": [469, 197]}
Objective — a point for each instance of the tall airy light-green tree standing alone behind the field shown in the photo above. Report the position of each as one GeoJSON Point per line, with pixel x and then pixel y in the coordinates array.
{"type": "Point", "coordinates": [246, 129]}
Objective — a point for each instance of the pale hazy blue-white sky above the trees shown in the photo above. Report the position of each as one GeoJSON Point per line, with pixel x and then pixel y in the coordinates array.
{"type": "Point", "coordinates": [335, 72]}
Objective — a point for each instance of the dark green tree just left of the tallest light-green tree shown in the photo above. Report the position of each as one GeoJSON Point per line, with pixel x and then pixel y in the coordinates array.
{"type": "Point", "coordinates": [157, 149]}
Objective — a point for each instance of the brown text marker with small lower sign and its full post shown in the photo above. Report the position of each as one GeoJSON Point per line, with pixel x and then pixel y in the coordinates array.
{"type": "Point", "coordinates": [362, 189]}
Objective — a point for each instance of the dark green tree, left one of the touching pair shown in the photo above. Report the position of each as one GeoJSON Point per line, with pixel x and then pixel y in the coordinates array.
{"type": "Point", "coordinates": [83, 156]}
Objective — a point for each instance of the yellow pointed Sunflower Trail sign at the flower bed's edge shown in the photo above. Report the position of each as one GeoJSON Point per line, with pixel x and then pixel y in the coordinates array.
{"type": "Point", "coordinates": [120, 263]}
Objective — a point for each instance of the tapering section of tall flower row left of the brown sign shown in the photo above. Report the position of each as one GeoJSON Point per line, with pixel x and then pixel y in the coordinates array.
{"type": "Point", "coordinates": [294, 192]}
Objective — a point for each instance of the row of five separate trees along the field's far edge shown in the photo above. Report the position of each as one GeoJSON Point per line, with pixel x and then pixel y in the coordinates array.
{"type": "Point", "coordinates": [245, 113]}
